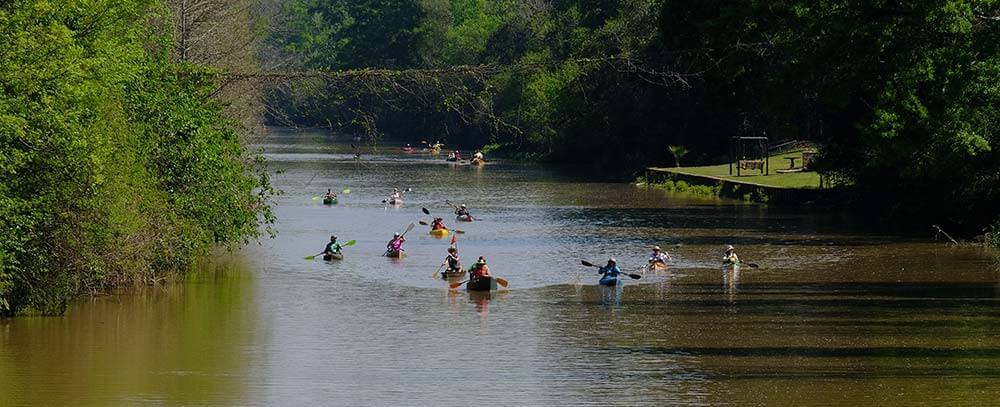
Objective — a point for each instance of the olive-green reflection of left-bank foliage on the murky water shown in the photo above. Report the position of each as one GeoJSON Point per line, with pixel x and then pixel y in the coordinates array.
{"type": "Point", "coordinates": [173, 344]}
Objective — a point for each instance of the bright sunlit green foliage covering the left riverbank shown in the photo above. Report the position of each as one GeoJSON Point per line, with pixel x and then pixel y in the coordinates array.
{"type": "Point", "coordinates": [116, 166]}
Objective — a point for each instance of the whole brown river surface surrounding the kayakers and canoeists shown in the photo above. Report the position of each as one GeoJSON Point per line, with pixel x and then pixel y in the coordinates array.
{"type": "Point", "coordinates": [834, 315]}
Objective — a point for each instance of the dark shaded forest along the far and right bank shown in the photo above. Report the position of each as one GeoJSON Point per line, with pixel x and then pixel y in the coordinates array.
{"type": "Point", "coordinates": [903, 97]}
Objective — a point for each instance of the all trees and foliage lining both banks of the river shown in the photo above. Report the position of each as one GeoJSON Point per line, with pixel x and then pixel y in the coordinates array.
{"type": "Point", "coordinates": [123, 124]}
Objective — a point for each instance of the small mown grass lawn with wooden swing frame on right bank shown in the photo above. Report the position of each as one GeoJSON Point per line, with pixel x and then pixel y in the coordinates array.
{"type": "Point", "coordinates": [778, 162]}
